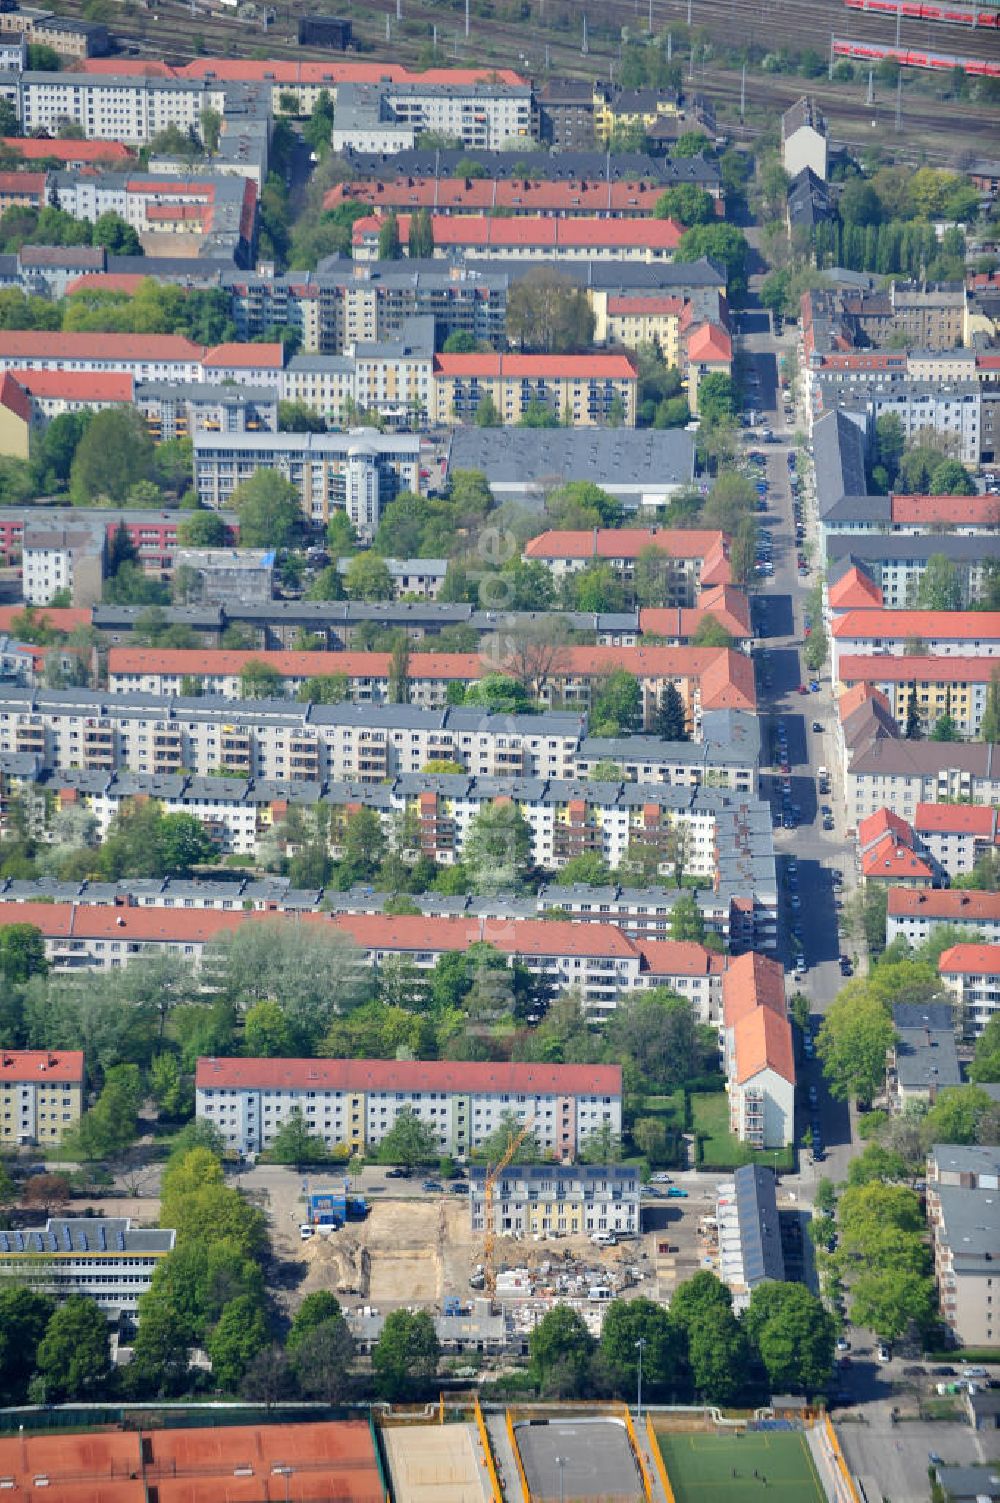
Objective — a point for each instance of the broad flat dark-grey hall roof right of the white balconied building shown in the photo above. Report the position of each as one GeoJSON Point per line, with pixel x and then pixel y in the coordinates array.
{"type": "Point", "coordinates": [613, 458]}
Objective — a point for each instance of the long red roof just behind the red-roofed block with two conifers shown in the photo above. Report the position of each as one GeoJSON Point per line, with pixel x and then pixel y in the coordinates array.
{"type": "Point", "coordinates": [477, 195]}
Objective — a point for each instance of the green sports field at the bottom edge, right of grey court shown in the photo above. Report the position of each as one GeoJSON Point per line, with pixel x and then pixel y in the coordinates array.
{"type": "Point", "coordinates": [702, 1468]}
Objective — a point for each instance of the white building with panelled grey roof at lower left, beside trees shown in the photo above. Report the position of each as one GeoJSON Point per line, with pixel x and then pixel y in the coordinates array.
{"type": "Point", "coordinates": [103, 1259]}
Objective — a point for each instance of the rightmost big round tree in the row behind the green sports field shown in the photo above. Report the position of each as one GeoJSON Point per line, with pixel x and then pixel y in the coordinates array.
{"type": "Point", "coordinates": [795, 1335]}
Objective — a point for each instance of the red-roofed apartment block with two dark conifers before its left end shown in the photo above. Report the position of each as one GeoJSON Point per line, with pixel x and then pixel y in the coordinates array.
{"type": "Point", "coordinates": [529, 237]}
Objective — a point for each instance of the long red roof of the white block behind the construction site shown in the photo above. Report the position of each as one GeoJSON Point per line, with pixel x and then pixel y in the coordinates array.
{"type": "Point", "coordinates": [413, 1075]}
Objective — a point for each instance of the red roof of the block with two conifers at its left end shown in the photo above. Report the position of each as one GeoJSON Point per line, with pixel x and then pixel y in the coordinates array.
{"type": "Point", "coordinates": [655, 235]}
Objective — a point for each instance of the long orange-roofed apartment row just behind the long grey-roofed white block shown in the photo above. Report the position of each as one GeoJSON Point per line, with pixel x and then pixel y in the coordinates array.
{"type": "Point", "coordinates": [708, 679]}
